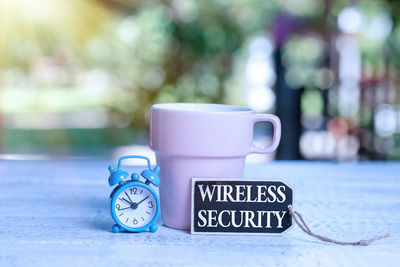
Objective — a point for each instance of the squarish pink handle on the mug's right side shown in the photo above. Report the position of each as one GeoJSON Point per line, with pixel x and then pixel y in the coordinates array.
{"type": "Point", "coordinates": [276, 137]}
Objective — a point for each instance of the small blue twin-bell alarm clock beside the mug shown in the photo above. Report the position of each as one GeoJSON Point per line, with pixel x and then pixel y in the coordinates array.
{"type": "Point", "coordinates": [135, 206]}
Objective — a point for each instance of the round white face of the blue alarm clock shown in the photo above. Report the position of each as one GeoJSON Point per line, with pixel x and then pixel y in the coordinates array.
{"type": "Point", "coordinates": [135, 206]}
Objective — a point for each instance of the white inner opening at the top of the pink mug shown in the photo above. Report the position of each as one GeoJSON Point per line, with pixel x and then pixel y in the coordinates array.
{"type": "Point", "coordinates": [200, 108]}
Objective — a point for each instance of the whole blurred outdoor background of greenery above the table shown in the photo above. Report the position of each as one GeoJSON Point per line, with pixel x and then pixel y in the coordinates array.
{"type": "Point", "coordinates": [78, 77]}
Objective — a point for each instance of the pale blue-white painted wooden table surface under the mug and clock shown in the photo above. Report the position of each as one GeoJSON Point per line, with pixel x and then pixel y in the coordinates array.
{"type": "Point", "coordinates": [56, 213]}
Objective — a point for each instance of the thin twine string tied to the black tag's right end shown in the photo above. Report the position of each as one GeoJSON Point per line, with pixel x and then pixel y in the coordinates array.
{"type": "Point", "coordinates": [303, 226]}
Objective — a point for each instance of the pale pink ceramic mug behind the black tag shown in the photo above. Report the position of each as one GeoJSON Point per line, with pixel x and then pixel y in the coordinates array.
{"type": "Point", "coordinates": [200, 140]}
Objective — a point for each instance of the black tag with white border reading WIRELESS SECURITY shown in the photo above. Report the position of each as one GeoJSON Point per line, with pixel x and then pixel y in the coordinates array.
{"type": "Point", "coordinates": [245, 206]}
